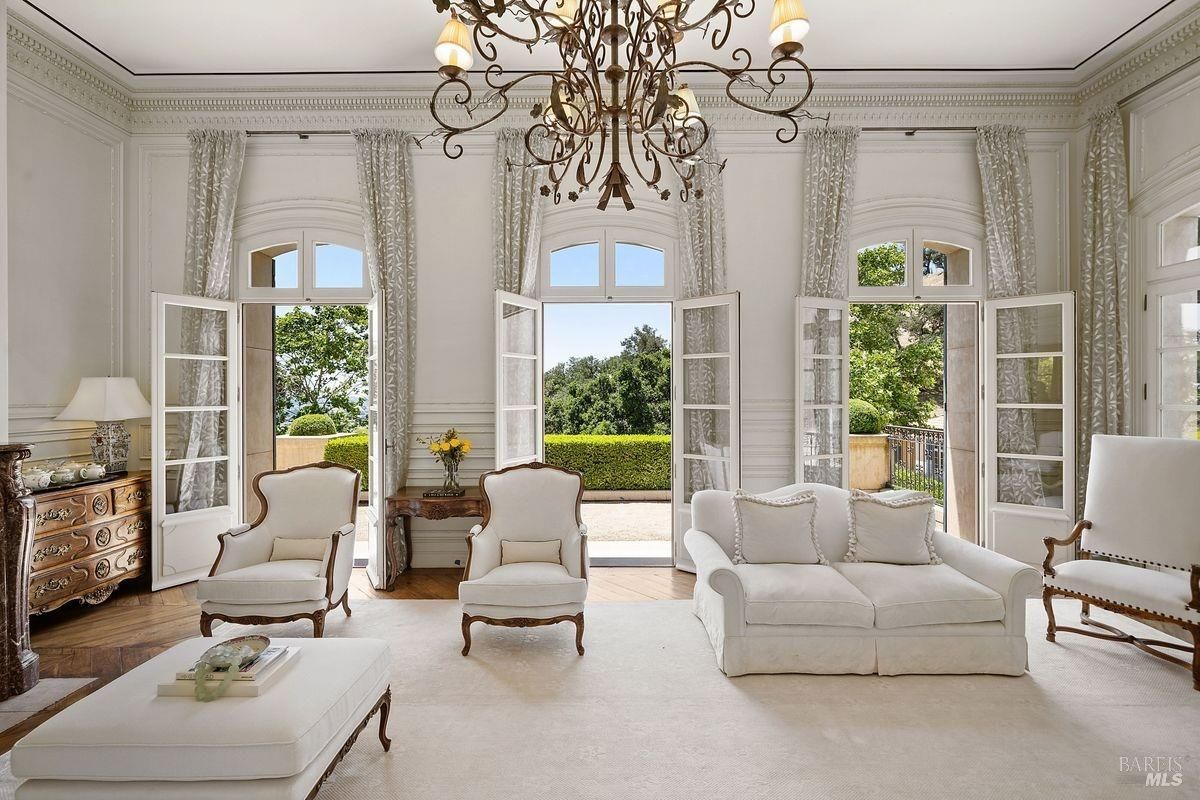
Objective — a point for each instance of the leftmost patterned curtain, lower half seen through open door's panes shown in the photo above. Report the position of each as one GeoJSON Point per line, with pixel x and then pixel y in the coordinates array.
{"type": "Point", "coordinates": [213, 177]}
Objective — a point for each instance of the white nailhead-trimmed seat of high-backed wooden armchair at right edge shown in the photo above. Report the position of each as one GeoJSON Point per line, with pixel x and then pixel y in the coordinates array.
{"type": "Point", "coordinates": [1162, 593]}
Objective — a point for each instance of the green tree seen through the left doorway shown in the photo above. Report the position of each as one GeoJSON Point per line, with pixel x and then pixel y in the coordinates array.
{"type": "Point", "coordinates": [321, 365]}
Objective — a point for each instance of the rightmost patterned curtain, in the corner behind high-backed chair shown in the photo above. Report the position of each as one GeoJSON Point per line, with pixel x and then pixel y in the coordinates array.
{"type": "Point", "coordinates": [1105, 380]}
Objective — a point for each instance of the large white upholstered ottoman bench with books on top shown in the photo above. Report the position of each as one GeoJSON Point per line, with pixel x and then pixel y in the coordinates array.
{"type": "Point", "coordinates": [124, 742]}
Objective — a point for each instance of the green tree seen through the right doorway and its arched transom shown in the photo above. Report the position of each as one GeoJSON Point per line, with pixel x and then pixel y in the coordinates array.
{"type": "Point", "coordinates": [896, 350]}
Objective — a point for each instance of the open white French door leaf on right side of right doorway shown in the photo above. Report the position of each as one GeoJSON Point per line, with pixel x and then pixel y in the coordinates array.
{"type": "Point", "coordinates": [1030, 399]}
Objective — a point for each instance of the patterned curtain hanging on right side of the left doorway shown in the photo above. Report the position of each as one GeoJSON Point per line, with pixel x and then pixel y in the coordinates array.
{"type": "Point", "coordinates": [386, 191]}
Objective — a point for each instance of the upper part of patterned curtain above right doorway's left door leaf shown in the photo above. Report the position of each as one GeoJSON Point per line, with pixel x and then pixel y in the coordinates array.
{"type": "Point", "coordinates": [831, 160]}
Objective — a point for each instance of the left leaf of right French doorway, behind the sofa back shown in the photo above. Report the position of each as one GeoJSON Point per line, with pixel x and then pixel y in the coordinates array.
{"type": "Point", "coordinates": [823, 389]}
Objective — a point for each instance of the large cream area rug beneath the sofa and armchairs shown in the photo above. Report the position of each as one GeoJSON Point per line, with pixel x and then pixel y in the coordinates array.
{"type": "Point", "coordinates": [646, 714]}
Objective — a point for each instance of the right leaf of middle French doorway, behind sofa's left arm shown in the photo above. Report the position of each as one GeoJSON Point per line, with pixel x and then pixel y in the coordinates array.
{"type": "Point", "coordinates": [706, 410]}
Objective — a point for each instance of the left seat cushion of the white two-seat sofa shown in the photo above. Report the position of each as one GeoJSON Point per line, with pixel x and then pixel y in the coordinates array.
{"type": "Point", "coordinates": [802, 594]}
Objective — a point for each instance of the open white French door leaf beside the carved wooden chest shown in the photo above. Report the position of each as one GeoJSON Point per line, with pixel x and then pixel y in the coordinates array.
{"type": "Point", "coordinates": [196, 444]}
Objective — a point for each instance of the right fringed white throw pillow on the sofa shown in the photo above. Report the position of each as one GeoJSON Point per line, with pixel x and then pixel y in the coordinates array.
{"type": "Point", "coordinates": [892, 530]}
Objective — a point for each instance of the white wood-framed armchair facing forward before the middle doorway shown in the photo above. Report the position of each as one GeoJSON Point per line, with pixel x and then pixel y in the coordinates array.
{"type": "Point", "coordinates": [527, 564]}
